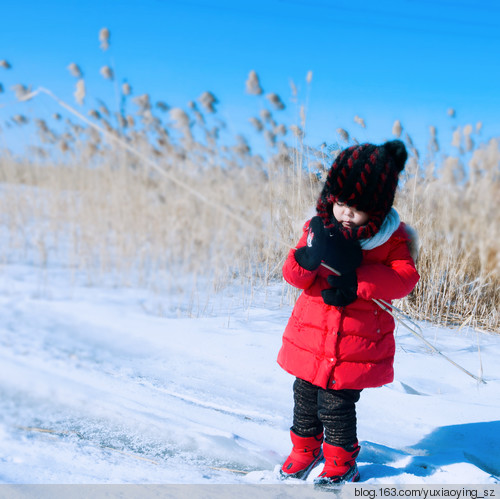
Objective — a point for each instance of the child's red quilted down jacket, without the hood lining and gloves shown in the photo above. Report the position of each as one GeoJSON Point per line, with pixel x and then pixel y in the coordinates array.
{"type": "Point", "coordinates": [351, 347]}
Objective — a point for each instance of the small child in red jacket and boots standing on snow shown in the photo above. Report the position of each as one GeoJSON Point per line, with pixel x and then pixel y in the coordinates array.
{"type": "Point", "coordinates": [338, 341]}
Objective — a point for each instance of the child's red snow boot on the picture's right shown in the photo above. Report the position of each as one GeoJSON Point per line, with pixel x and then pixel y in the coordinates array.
{"type": "Point", "coordinates": [340, 465]}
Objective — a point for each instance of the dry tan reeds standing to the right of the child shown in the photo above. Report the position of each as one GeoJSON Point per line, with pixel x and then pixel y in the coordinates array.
{"type": "Point", "coordinates": [456, 212]}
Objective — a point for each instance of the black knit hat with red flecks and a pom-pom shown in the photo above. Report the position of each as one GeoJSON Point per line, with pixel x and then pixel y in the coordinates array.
{"type": "Point", "coordinates": [364, 177]}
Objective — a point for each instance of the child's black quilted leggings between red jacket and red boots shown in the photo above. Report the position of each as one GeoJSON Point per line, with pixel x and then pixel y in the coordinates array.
{"type": "Point", "coordinates": [317, 408]}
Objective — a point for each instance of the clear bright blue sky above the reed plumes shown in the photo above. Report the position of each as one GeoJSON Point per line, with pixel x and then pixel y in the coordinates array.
{"type": "Point", "coordinates": [410, 60]}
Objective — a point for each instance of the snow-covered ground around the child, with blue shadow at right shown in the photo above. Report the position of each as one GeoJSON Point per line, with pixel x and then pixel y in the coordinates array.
{"type": "Point", "coordinates": [97, 387]}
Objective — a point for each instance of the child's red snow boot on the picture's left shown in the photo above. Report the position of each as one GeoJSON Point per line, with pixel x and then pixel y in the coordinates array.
{"type": "Point", "coordinates": [305, 455]}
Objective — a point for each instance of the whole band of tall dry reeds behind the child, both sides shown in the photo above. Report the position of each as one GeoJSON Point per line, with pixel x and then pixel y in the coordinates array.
{"type": "Point", "coordinates": [88, 203]}
